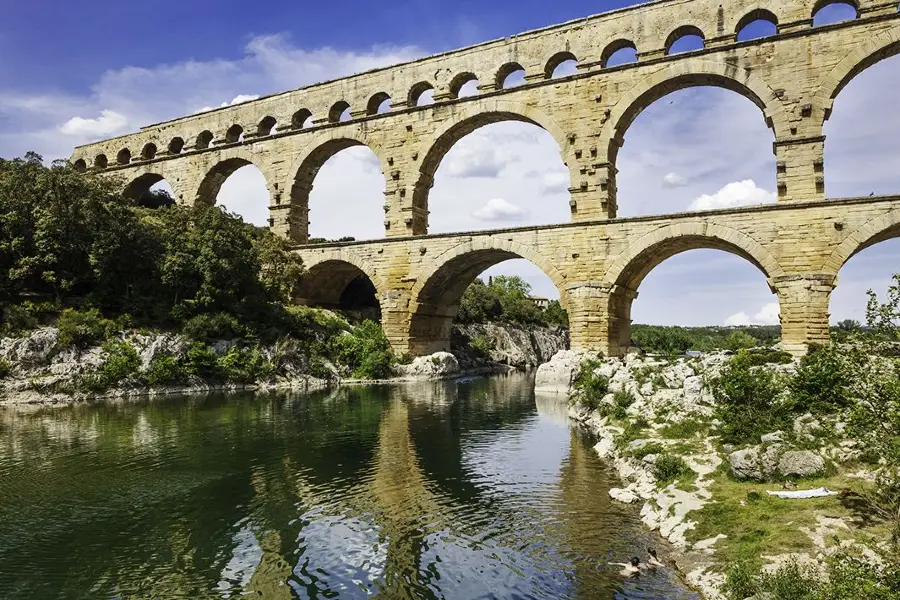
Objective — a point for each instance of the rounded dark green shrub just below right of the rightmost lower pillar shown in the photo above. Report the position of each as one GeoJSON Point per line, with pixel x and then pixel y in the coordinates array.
{"type": "Point", "coordinates": [822, 382]}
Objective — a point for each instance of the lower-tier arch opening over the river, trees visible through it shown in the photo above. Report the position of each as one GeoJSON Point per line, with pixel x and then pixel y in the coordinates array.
{"type": "Point", "coordinates": [437, 302]}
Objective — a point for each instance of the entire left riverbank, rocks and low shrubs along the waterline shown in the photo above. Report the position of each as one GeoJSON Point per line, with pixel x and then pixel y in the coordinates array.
{"type": "Point", "coordinates": [43, 367]}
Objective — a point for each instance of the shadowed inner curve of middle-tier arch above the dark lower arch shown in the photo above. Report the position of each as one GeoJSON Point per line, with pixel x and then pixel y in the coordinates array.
{"type": "Point", "coordinates": [307, 166]}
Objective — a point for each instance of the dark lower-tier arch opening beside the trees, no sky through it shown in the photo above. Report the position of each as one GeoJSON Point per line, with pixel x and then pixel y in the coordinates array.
{"type": "Point", "coordinates": [341, 286]}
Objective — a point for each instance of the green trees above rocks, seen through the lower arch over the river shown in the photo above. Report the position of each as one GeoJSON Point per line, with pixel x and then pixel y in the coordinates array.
{"type": "Point", "coordinates": [507, 299]}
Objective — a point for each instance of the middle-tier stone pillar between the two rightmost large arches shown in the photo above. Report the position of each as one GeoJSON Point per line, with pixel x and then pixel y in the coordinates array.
{"type": "Point", "coordinates": [800, 168]}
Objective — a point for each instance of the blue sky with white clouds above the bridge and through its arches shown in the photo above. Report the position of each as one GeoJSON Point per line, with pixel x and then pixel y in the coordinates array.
{"type": "Point", "coordinates": [83, 71]}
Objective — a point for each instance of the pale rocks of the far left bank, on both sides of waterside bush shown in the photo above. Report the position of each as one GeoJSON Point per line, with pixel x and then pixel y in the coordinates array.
{"type": "Point", "coordinates": [38, 368]}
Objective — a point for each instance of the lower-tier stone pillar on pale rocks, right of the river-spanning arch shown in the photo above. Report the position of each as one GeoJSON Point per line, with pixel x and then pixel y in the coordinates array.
{"type": "Point", "coordinates": [600, 317]}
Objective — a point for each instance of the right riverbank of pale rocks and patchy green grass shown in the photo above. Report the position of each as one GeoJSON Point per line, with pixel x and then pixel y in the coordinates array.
{"type": "Point", "coordinates": [656, 423]}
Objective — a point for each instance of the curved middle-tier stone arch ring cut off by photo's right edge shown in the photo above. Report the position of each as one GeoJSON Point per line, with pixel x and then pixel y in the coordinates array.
{"type": "Point", "coordinates": [863, 56]}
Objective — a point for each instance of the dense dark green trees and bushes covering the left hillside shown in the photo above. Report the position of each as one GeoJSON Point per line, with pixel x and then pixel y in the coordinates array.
{"type": "Point", "coordinates": [75, 253]}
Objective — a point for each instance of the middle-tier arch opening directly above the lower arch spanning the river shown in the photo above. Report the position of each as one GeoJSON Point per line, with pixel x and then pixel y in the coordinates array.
{"type": "Point", "coordinates": [492, 170]}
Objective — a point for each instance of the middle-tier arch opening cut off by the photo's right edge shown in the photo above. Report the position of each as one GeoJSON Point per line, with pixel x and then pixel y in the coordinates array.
{"type": "Point", "coordinates": [861, 130]}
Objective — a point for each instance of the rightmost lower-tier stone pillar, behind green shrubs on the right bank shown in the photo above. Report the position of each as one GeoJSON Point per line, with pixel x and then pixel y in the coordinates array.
{"type": "Point", "coordinates": [804, 300]}
